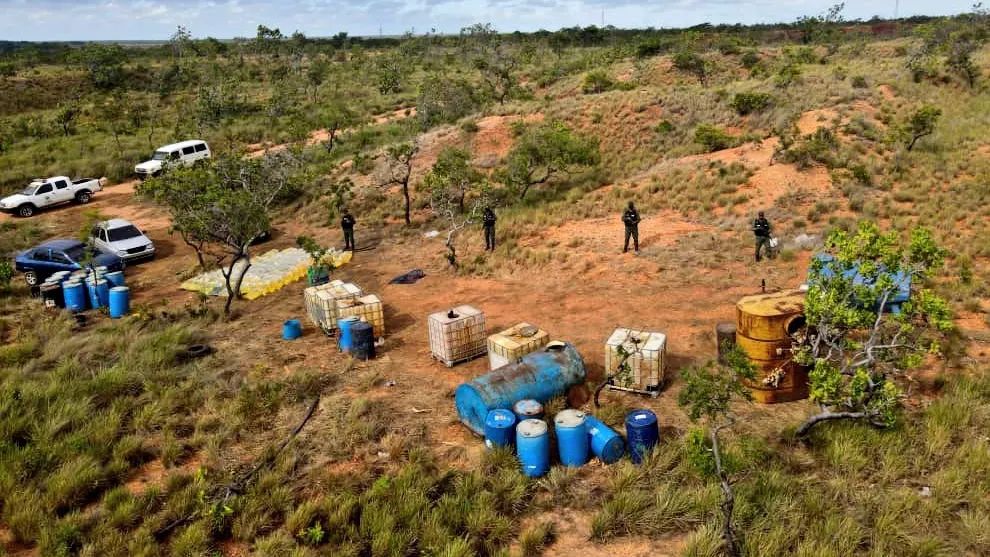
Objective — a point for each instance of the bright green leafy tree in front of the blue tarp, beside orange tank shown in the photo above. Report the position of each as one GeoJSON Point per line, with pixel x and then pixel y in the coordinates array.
{"type": "Point", "coordinates": [857, 347]}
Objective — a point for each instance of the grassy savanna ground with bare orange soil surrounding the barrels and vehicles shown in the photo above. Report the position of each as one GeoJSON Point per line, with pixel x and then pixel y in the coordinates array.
{"type": "Point", "coordinates": [115, 443]}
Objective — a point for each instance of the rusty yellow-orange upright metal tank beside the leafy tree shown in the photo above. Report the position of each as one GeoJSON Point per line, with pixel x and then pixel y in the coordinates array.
{"type": "Point", "coordinates": [764, 325]}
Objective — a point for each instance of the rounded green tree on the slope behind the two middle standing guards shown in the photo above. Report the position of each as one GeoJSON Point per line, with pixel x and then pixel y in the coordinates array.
{"type": "Point", "coordinates": [545, 152]}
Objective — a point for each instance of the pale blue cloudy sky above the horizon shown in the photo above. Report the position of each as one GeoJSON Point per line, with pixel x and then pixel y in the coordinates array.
{"type": "Point", "coordinates": [38, 20]}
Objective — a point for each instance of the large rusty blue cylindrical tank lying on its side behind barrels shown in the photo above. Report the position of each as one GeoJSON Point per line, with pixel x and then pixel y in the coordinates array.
{"type": "Point", "coordinates": [539, 376]}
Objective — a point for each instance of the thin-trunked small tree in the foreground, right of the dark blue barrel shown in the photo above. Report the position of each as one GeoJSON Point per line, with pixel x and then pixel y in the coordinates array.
{"type": "Point", "coordinates": [706, 397]}
